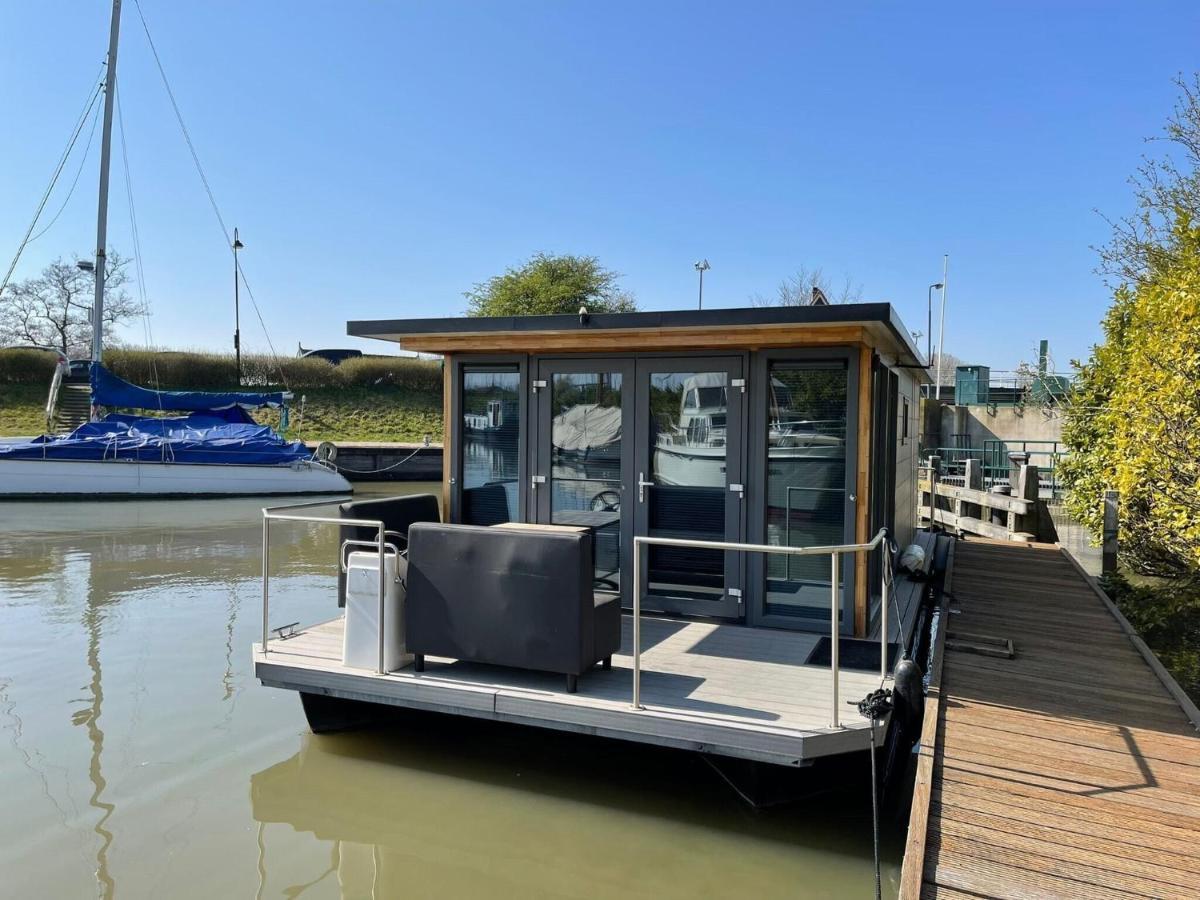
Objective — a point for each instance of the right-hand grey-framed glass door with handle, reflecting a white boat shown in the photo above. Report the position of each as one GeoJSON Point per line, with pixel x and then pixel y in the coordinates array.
{"type": "Point", "coordinates": [689, 482]}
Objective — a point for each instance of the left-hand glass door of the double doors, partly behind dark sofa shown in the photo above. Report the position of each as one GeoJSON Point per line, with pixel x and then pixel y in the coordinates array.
{"type": "Point", "coordinates": [585, 421]}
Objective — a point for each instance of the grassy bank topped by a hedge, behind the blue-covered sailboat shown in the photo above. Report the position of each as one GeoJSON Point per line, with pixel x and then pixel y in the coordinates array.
{"type": "Point", "coordinates": [369, 399]}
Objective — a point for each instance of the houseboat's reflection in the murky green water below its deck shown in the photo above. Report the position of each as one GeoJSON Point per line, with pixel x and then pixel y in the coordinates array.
{"type": "Point", "coordinates": [435, 807]}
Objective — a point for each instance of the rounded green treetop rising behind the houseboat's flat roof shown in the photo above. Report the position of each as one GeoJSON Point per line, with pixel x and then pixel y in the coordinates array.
{"type": "Point", "coordinates": [550, 285]}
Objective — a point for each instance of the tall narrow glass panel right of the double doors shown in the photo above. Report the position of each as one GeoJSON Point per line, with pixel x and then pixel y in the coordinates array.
{"type": "Point", "coordinates": [806, 440]}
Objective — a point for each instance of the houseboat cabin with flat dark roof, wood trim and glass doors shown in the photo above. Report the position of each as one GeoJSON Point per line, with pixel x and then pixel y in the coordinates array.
{"type": "Point", "coordinates": [784, 427]}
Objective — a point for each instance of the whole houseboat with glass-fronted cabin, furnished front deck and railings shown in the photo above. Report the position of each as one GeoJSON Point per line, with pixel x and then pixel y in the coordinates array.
{"type": "Point", "coordinates": [709, 560]}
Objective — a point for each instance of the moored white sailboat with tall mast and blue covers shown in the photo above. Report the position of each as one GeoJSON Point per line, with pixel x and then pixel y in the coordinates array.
{"type": "Point", "coordinates": [215, 449]}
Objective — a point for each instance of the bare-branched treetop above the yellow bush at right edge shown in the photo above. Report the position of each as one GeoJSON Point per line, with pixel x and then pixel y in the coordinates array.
{"type": "Point", "coordinates": [1163, 188]}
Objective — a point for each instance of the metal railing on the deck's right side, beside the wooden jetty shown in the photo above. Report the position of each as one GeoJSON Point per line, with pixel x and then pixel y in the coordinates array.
{"type": "Point", "coordinates": [835, 551]}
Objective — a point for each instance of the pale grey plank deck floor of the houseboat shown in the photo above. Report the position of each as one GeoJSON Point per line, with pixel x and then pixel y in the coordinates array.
{"type": "Point", "coordinates": [723, 689]}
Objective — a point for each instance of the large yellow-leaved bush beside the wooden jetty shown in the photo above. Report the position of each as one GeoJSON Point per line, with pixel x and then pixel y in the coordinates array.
{"type": "Point", "coordinates": [1133, 423]}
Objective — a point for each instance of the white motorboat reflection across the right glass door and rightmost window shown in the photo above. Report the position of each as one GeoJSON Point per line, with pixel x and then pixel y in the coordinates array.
{"type": "Point", "coordinates": [803, 461]}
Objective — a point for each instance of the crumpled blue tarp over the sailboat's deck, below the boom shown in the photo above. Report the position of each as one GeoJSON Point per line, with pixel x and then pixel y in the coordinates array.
{"type": "Point", "coordinates": [212, 437]}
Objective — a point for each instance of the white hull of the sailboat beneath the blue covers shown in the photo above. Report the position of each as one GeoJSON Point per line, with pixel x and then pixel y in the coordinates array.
{"type": "Point", "coordinates": [117, 478]}
